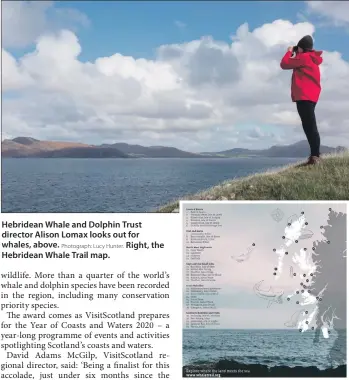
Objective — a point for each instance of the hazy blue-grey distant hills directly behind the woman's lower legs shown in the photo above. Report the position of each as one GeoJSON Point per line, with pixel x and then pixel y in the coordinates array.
{"type": "Point", "coordinates": [299, 149]}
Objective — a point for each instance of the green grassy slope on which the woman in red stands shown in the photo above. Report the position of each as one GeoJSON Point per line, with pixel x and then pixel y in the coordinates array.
{"type": "Point", "coordinates": [326, 181]}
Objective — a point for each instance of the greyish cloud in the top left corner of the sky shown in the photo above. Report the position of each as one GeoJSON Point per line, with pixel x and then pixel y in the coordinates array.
{"type": "Point", "coordinates": [24, 21]}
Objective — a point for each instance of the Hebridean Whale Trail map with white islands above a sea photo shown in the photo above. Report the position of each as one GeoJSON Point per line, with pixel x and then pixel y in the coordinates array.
{"type": "Point", "coordinates": [270, 274]}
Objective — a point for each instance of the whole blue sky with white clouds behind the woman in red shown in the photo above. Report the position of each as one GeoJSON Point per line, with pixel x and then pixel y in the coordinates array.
{"type": "Point", "coordinates": [199, 76]}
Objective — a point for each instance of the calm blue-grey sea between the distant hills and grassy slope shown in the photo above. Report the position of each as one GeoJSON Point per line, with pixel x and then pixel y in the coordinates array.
{"type": "Point", "coordinates": [116, 185]}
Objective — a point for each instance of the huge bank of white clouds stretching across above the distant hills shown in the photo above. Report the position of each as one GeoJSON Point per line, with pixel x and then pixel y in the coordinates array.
{"type": "Point", "coordinates": [198, 95]}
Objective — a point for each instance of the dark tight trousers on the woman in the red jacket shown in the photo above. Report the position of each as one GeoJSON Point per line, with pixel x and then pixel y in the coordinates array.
{"type": "Point", "coordinates": [306, 111]}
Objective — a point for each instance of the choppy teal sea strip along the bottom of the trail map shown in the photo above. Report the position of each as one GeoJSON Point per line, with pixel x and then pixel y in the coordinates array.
{"type": "Point", "coordinates": [267, 347]}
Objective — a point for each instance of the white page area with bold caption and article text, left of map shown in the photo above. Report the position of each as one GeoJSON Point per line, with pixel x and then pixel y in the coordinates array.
{"type": "Point", "coordinates": [90, 297]}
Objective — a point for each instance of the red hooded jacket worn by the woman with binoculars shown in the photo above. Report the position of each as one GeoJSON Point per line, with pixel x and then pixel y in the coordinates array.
{"type": "Point", "coordinates": [306, 74]}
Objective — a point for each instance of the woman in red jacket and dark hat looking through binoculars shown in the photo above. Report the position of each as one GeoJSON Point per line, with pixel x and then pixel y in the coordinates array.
{"type": "Point", "coordinates": [306, 89]}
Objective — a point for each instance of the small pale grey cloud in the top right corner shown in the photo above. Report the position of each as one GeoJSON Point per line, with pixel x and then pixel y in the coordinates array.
{"type": "Point", "coordinates": [335, 11]}
